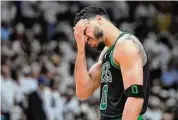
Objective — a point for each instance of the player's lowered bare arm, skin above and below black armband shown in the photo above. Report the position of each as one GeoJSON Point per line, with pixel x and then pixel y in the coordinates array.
{"type": "Point", "coordinates": [128, 56]}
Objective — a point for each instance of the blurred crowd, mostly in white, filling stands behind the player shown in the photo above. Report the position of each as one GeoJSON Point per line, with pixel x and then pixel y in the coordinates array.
{"type": "Point", "coordinates": [38, 53]}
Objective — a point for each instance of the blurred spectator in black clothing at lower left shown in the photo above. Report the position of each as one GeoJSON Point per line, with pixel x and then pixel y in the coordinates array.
{"type": "Point", "coordinates": [36, 110]}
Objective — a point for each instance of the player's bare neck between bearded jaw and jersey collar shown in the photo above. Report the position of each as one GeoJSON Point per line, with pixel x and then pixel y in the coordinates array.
{"type": "Point", "coordinates": [112, 34]}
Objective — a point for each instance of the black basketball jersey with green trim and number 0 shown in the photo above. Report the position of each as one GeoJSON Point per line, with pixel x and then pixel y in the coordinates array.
{"type": "Point", "coordinates": [112, 98]}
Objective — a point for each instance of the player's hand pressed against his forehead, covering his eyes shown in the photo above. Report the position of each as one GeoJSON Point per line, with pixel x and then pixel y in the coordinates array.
{"type": "Point", "coordinates": [79, 33]}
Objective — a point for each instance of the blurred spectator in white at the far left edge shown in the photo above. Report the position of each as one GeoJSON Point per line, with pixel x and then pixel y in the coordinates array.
{"type": "Point", "coordinates": [9, 92]}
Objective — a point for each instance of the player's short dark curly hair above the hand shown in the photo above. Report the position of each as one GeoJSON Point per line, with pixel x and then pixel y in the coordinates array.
{"type": "Point", "coordinates": [91, 12]}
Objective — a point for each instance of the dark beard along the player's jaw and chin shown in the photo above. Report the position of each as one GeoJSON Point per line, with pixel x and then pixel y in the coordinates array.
{"type": "Point", "coordinates": [98, 32]}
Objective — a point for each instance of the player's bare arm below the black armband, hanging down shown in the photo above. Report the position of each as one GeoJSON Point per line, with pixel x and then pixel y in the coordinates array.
{"type": "Point", "coordinates": [132, 108]}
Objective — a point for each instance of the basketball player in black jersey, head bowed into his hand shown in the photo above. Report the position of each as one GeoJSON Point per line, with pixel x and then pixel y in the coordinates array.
{"type": "Point", "coordinates": [122, 70]}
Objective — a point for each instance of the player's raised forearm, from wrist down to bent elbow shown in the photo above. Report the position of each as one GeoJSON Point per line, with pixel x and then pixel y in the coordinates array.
{"type": "Point", "coordinates": [82, 79]}
